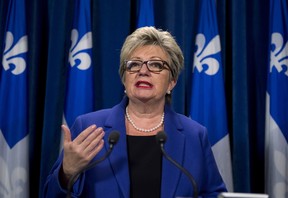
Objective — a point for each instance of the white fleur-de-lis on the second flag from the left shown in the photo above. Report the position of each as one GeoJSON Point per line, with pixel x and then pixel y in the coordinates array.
{"type": "Point", "coordinates": [76, 51]}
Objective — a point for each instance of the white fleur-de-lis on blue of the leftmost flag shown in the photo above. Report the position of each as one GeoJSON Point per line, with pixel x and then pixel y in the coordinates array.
{"type": "Point", "coordinates": [12, 54]}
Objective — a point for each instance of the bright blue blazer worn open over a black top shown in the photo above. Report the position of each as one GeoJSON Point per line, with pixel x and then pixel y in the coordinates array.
{"type": "Point", "coordinates": [187, 143]}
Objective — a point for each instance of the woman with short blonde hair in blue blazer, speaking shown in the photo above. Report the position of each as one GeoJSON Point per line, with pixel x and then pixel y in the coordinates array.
{"type": "Point", "coordinates": [150, 63]}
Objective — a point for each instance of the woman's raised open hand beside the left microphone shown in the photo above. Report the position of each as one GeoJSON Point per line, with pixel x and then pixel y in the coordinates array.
{"type": "Point", "coordinates": [79, 152]}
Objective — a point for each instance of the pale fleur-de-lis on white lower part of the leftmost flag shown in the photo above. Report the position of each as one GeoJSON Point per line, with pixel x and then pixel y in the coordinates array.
{"type": "Point", "coordinates": [10, 184]}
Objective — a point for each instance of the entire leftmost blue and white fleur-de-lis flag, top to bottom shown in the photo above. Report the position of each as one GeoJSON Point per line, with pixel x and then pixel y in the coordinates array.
{"type": "Point", "coordinates": [14, 135]}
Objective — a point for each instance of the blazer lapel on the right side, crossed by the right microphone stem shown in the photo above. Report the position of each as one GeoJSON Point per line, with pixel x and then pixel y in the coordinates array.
{"type": "Point", "coordinates": [174, 147]}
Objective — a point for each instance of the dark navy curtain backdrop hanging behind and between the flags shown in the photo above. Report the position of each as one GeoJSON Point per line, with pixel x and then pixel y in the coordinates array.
{"type": "Point", "coordinates": [244, 35]}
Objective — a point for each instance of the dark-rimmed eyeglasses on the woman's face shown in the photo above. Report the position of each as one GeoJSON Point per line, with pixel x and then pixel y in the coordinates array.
{"type": "Point", "coordinates": [152, 65]}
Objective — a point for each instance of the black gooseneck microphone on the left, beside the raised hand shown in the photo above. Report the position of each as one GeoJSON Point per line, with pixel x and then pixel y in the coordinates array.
{"type": "Point", "coordinates": [112, 139]}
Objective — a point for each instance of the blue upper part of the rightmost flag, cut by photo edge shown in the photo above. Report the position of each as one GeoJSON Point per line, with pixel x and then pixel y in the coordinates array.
{"type": "Point", "coordinates": [278, 68]}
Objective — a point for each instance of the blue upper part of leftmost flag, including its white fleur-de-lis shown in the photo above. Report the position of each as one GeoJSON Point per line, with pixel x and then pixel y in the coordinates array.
{"type": "Point", "coordinates": [13, 81]}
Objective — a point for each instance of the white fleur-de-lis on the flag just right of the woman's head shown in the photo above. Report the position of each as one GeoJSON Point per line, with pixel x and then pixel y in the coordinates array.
{"type": "Point", "coordinates": [203, 55]}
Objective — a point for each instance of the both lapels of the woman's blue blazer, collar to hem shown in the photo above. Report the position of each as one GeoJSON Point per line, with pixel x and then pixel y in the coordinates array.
{"type": "Point", "coordinates": [174, 148]}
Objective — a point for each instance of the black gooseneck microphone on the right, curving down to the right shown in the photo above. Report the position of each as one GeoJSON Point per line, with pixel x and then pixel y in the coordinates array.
{"type": "Point", "coordinates": [161, 138]}
